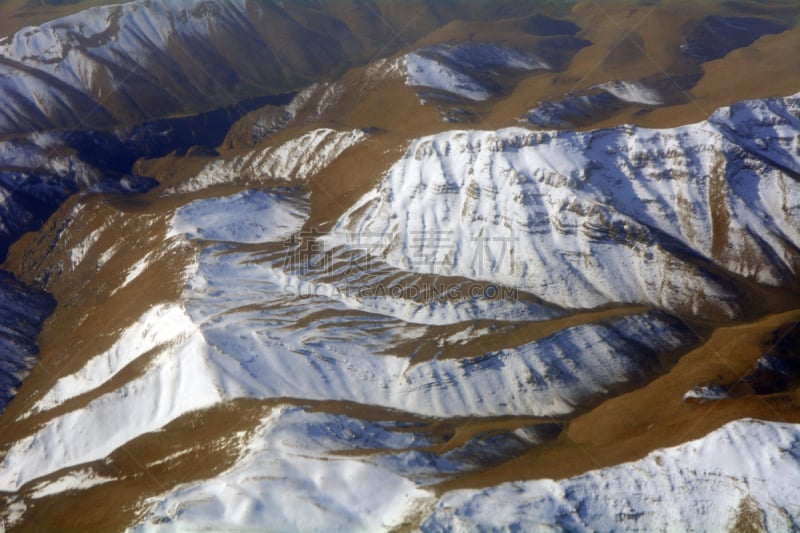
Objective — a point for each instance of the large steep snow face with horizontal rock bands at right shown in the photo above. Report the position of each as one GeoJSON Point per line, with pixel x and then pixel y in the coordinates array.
{"type": "Point", "coordinates": [585, 219]}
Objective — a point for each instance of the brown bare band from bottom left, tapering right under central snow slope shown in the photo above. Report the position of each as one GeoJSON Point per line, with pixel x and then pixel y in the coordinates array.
{"type": "Point", "coordinates": [198, 446]}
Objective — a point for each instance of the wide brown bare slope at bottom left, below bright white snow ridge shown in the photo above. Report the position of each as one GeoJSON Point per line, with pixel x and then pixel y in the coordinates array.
{"type": "Point", "coordinates": [196, 446]}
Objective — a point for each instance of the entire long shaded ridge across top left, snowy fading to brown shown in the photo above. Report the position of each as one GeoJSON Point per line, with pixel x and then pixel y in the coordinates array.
{"type": "Point", "coordinates": [144, 59]}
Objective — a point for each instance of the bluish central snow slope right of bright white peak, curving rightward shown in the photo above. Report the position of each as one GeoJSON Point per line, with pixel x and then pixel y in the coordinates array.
{"type": "Point", "coordinates": [349, 355]}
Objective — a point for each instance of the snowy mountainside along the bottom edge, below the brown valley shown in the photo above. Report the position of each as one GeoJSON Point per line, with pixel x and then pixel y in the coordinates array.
{"type": "Point", "coordinates": [743, 475]}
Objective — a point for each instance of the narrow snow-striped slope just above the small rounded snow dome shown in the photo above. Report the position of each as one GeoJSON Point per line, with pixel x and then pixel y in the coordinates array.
{"type": "Point", "coordinates": [298, 159]}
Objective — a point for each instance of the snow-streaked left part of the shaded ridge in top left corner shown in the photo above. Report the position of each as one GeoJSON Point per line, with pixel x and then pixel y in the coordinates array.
{"type": "Point", "coordinates": [113, 62]}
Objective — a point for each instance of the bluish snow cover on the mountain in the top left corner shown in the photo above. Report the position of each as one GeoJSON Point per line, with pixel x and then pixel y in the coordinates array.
{"type": "Point", "coordinates": [56, 73]}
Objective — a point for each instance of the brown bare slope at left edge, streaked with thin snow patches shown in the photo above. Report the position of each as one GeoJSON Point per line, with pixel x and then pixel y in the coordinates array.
{"type": "Point", "coordinates": [90, 312]}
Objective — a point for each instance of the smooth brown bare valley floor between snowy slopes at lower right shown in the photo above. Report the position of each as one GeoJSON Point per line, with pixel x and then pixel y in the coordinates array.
{"type": "Point", "coordinates": [629, 426]}
